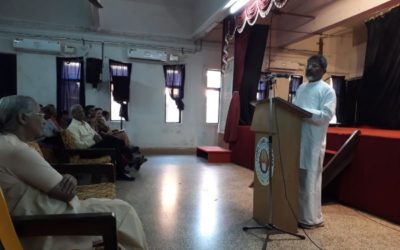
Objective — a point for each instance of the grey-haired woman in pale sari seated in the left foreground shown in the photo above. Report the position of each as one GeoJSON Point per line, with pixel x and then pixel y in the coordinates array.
{"type": "Point", "coordinates": [32, 187]}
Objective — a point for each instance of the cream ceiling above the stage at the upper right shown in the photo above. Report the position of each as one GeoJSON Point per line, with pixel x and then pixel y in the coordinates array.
{"type": "Point", "coordinates": [300, 19]}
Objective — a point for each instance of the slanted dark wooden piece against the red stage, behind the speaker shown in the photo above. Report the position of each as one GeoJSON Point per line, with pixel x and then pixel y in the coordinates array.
{"type": "Point", "coordinates": [339, 159]}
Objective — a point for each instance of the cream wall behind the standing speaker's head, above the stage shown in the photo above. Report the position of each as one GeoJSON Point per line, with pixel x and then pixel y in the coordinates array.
{"type": "Point", "coordinates": [345, 52]}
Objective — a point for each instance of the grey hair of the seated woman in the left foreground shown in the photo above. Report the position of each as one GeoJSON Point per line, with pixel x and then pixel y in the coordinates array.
{"type": "Point", "coordinates": [10, 107]}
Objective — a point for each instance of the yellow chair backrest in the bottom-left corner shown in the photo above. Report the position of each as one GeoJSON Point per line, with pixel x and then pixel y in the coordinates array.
{"type": "Point", "coordinates": [8, 236]}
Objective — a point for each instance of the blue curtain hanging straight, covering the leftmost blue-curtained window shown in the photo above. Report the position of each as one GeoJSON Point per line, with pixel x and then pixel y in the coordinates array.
{"type": "Point", "coordinates": [70, 87]}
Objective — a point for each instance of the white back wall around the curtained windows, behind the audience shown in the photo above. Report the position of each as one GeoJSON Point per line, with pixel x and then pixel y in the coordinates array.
{"type": "Point", "coordinates": [36, 76]}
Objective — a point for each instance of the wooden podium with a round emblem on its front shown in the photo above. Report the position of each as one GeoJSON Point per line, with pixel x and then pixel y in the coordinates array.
{"type": "Point", "coordinates": [284, 128]}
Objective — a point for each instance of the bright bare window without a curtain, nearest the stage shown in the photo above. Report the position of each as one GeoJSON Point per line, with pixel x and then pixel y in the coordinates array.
{"type": "Point", "coordinates": [212, 95]}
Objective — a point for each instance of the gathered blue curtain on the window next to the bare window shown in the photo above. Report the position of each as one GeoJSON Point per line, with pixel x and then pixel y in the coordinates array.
{"type": "Point", "coordinates": [175, 82]}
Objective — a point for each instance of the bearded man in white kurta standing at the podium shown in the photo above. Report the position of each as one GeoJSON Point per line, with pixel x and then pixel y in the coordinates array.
{"type": "Point", "coordinates": [318, 98]}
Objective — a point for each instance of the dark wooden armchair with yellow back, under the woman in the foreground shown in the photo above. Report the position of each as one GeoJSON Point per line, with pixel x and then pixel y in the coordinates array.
{"type": "Point", "coordinates": [89, 224]}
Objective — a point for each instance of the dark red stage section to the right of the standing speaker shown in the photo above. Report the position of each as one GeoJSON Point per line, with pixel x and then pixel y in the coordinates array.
{"type": "Point", "coordinates": [372, 181]}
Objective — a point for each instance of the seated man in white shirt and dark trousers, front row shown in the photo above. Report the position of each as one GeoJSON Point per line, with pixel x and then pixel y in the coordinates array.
{"type": "Point", "coordinates": [86, 137]}
